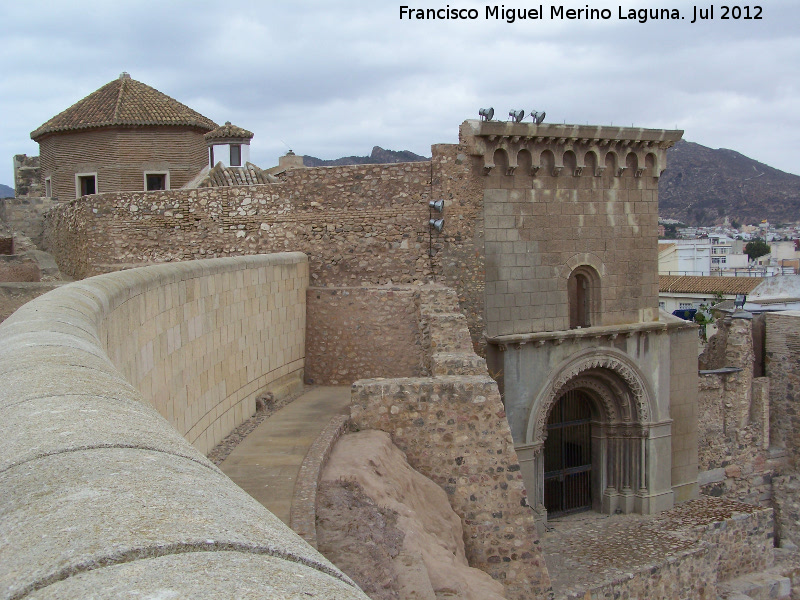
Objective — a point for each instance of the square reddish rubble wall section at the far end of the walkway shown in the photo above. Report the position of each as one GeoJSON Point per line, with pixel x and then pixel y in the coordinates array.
{"type": "Point", "coordinates": [362, 332]}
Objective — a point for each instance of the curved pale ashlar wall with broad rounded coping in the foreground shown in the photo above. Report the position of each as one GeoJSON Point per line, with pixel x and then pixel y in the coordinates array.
{"type": "Point", "coordinates": [102, 382]}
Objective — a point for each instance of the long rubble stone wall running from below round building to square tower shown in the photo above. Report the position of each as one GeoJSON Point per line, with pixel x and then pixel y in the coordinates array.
{"type": "Point", "coordinates": [359, 225]}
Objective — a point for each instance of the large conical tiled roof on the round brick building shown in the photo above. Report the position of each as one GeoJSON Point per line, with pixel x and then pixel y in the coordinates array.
{"type": "Point", "coordinates": [124, 101]}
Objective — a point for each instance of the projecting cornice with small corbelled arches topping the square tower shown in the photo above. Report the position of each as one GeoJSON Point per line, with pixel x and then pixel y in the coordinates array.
{"type": "Point", "coordinates": [635, 150]}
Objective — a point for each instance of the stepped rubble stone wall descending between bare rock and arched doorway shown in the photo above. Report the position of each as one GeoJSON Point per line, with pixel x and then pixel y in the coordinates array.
{"type": "Point", "coordinates": [453, 429]}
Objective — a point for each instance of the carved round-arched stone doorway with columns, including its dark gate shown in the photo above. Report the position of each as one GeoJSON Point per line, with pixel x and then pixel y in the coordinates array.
{"type": "Point", "coordinates": [589, 434]}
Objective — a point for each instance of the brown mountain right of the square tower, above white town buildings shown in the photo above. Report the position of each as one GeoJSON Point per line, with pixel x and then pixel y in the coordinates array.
{"type": "Point", "coordinates": [702, 186]}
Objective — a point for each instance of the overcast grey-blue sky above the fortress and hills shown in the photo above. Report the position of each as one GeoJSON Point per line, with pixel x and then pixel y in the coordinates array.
{"type": "Point", "coordinates": [334, 78]}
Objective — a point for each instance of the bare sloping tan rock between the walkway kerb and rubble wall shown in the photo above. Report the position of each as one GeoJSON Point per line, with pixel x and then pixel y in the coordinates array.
{"type": "Point", "coordinates": [392, 529]}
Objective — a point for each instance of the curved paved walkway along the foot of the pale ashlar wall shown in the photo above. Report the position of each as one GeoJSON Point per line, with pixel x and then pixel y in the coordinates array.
{"type": "Point", "coordinates": [265, 464]}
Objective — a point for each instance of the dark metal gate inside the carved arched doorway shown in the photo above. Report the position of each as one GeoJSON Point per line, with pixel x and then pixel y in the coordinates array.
{"type": "Point", "coordinates": [568, 456]}
